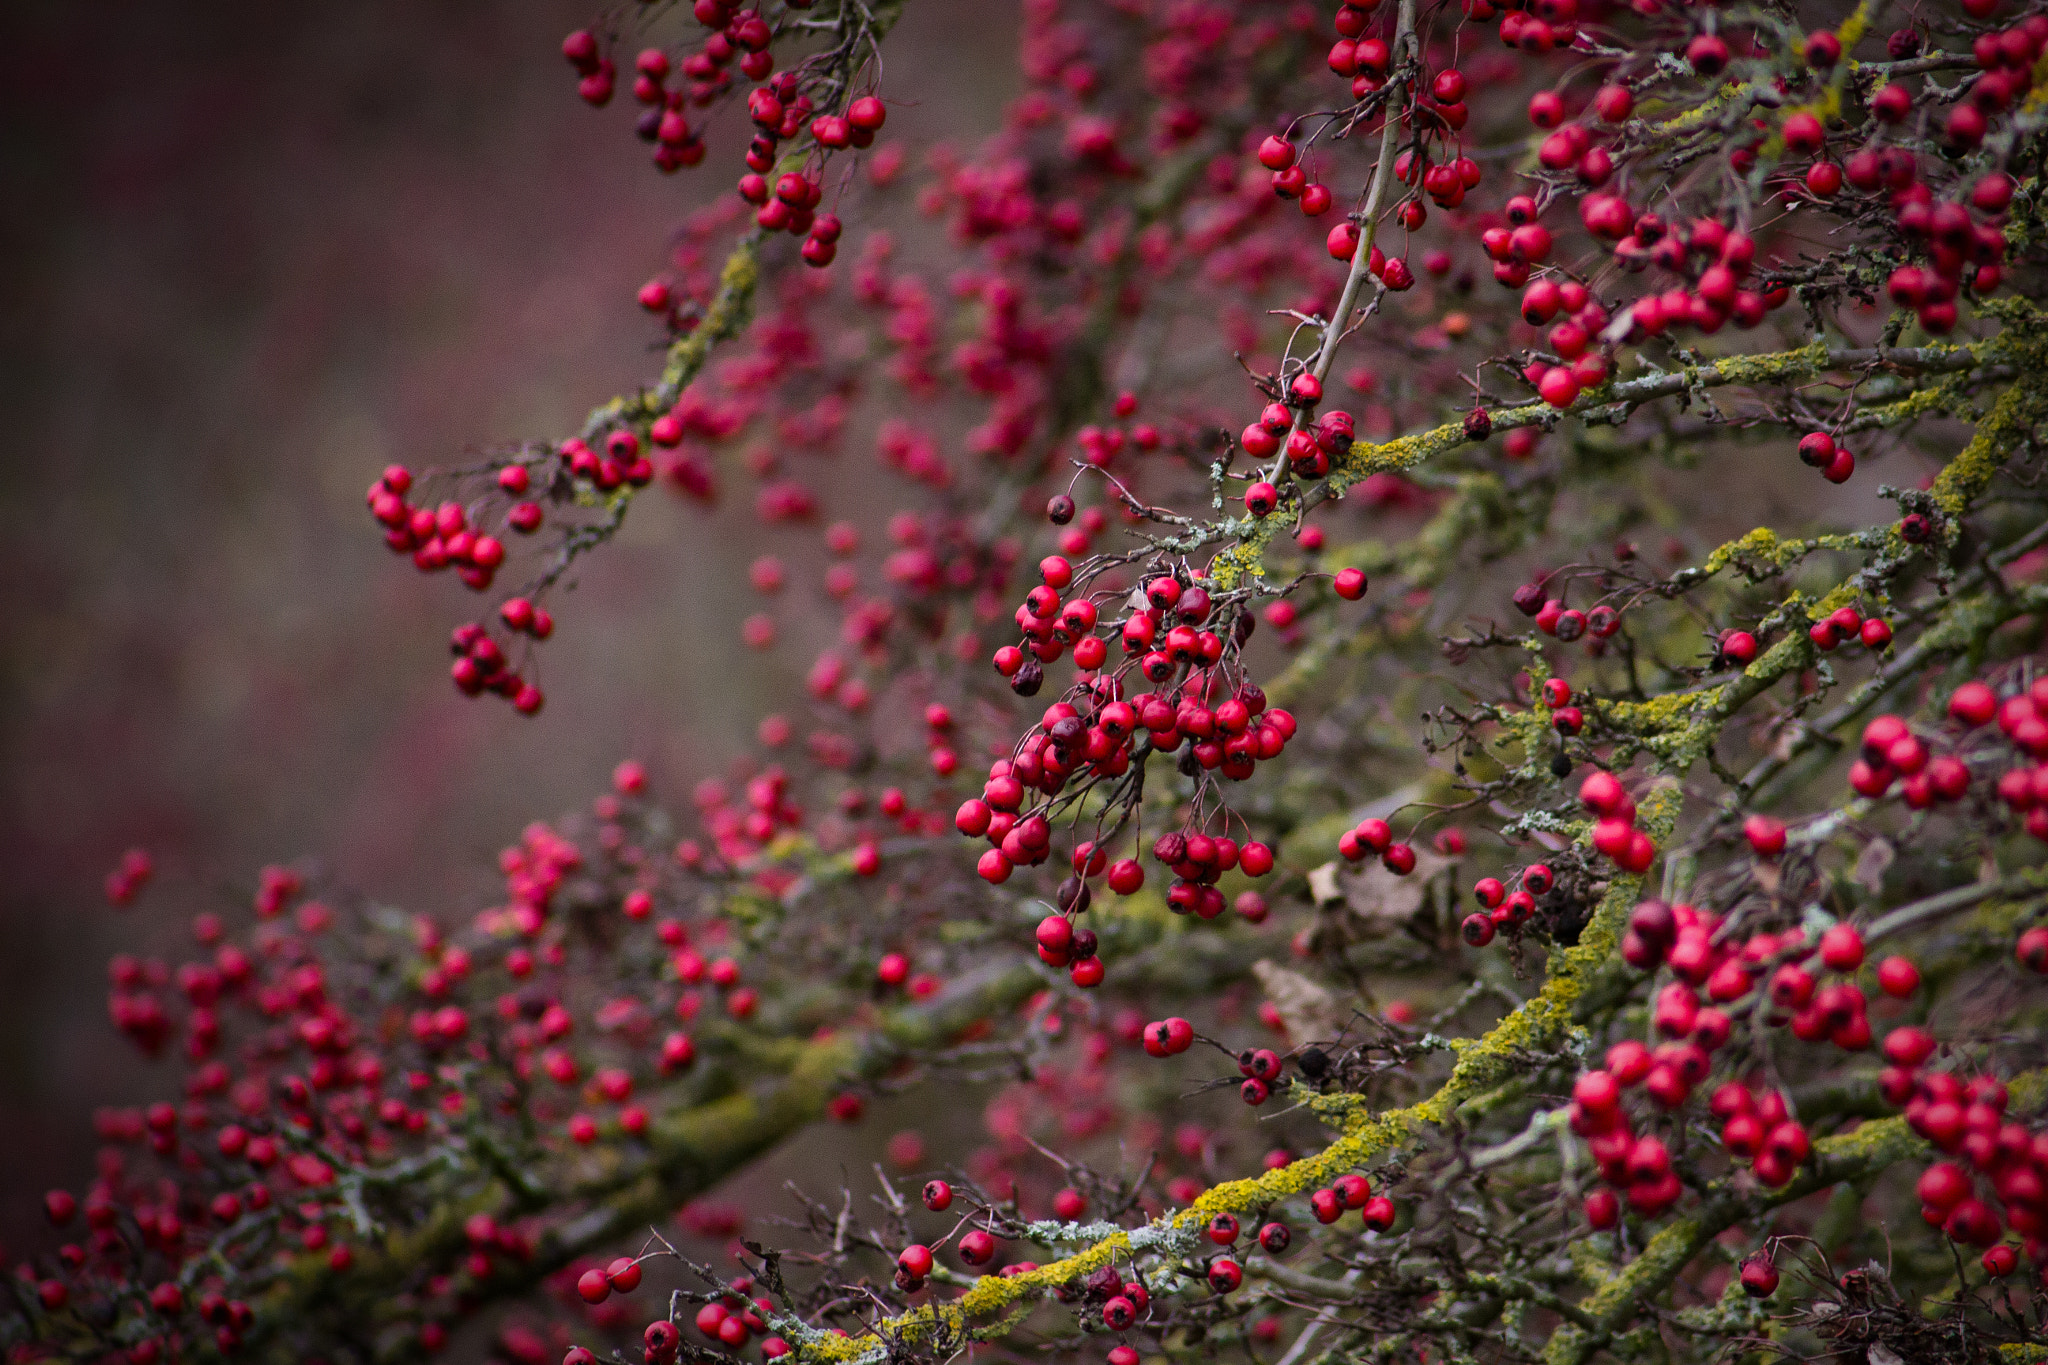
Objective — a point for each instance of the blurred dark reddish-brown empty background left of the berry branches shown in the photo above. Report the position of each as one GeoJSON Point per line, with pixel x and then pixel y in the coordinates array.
{"type": "Point", "coordinates": [251, 255]}
